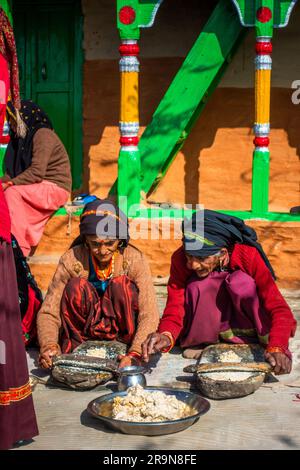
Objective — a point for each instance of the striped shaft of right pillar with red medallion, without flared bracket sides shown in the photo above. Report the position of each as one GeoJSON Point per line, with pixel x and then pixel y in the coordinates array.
{"type": "Point", "coordinates": [263, 66]}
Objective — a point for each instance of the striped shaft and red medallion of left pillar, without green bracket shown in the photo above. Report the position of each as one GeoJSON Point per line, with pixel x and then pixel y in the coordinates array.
{"type": "Point", "coordinates": [129, 165]}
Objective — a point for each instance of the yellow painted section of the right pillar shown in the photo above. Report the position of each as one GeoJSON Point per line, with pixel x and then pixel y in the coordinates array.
{"type": "Point", "coordinates": [262, 96]}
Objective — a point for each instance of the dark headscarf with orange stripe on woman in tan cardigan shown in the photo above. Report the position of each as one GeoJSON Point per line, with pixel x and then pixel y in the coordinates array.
{"type": "Point", "coordinates": [103, 218]}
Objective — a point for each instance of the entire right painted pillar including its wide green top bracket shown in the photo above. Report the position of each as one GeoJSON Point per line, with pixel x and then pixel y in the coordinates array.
{"type": "Point", "coordinates": [263, 15]}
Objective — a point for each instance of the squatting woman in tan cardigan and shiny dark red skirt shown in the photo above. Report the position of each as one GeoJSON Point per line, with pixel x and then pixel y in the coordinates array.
{"type": "Point", "coordinates": [102, 289]}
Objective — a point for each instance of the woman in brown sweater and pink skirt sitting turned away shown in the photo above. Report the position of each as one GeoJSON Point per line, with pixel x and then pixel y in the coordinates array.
{"type": "Point", "coordinates": [38, 176]}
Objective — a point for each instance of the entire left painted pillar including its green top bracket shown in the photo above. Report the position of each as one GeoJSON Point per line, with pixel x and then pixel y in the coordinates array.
{"type": "Point", "coordinates": [131, 16]}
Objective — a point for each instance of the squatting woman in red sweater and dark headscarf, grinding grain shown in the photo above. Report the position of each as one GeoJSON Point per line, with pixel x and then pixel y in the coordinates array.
{"type": "Point", "coordinates": [222, 288]}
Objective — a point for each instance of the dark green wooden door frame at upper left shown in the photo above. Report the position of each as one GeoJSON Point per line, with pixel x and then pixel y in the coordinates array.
{"type": "Point", "coordinates": [77, 122]}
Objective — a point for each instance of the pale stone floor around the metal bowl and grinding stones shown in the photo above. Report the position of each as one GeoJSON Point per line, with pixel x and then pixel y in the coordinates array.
{"type": "Point", "coordinates": [267, 419]}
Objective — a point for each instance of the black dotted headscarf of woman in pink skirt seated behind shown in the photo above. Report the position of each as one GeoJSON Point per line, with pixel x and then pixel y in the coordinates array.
{"type": "Point", "coordinates": [18, 155]}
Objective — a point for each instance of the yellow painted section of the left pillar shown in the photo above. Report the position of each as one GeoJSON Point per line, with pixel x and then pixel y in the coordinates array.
{"type": "Point", "coordinates": [129, 97]}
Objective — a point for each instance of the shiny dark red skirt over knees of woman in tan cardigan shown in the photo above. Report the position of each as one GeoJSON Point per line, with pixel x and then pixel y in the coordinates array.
{"type": "Point", "coordinates": [86, 315]}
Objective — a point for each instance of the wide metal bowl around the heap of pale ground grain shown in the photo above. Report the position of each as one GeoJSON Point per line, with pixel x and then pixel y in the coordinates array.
{"type": "Point", "coordinates": [100, 408]}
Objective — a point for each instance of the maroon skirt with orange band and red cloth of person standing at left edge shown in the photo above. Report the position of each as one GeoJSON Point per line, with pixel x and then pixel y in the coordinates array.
{"type": "Point", "coordinates": [17, 416]}
